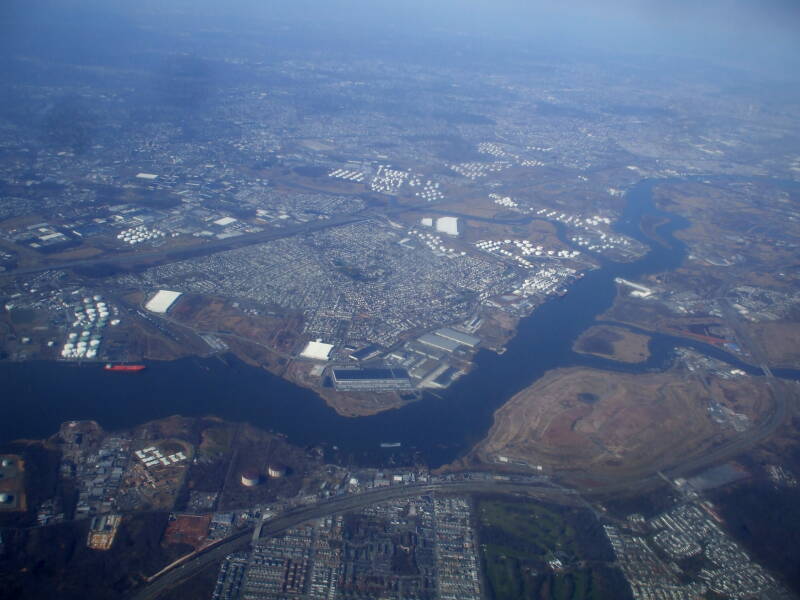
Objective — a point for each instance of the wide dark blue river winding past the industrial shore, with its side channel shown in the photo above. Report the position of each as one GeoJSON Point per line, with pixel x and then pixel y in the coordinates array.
{"type": "Point", "coordinates": [39, 396]}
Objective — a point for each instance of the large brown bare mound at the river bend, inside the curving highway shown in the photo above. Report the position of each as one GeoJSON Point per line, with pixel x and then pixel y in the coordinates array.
{"type": "Point", "coordinates": [588, 423]}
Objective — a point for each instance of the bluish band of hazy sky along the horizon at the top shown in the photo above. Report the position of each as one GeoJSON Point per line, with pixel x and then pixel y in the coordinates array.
{"type": "Point", "coordinates": [761, 37]}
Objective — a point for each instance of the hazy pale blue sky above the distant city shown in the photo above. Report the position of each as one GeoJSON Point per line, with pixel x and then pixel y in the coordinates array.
{"type": "Point", "coordinates": [757, 34]}
